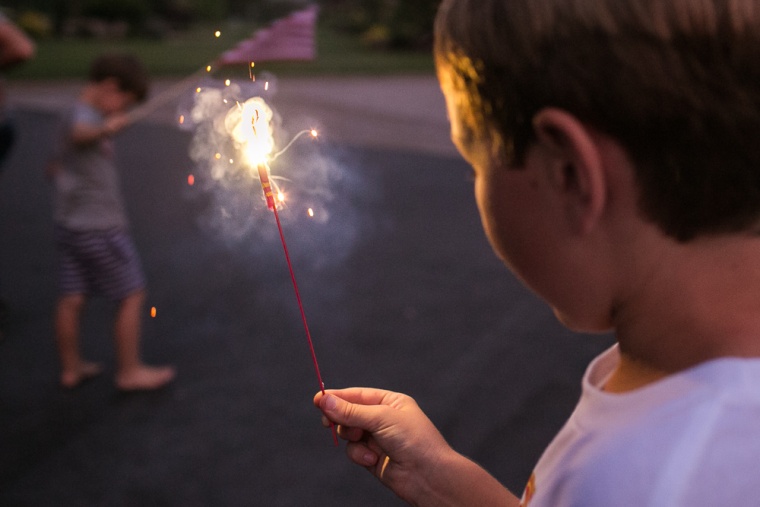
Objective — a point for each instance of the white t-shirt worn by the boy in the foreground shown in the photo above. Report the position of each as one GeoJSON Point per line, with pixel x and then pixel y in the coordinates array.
{"type": "Point", "coordinates": [689, 440]}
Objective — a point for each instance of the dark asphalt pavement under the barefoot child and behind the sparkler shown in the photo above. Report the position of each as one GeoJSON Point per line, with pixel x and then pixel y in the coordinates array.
{"type": "Point", "coordinates": [400, 288]}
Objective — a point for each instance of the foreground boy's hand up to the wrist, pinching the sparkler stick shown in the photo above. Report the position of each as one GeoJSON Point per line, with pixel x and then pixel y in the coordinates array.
{"type": "Point", "coordinates": [389, 435]}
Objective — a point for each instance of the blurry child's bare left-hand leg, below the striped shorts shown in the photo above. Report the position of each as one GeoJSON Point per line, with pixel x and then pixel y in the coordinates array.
{"type": "Point", "coordinates": [74, 370]}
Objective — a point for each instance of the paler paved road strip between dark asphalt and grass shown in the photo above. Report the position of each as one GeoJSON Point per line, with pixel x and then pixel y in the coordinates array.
{"type": "Point", "coordinates": [387, 112]}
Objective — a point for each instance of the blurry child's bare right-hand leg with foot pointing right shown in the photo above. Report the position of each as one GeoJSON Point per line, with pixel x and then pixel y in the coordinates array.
{"type": "Point", "coordinates": [132, 374]}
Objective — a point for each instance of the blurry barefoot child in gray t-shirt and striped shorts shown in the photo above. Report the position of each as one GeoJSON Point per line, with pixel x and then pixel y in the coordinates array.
{"type": "Point", "coordinates": [96, 255]}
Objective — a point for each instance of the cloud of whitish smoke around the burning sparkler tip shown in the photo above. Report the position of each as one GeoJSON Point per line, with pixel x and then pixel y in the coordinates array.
{"type": "Point", "coordinates": [320, 222]}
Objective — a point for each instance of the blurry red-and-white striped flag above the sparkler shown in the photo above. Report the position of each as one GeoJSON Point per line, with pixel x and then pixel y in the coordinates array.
{"type": "Point", "coordinates": [288, 38]}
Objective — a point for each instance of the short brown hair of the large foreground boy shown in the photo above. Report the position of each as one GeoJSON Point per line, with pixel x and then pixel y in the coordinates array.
{"type": "Point", "coordinates": [676, 82]}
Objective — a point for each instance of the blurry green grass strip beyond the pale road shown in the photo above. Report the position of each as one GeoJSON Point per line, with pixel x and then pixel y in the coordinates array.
{"type": "Point", "coordinates": [182, 54]}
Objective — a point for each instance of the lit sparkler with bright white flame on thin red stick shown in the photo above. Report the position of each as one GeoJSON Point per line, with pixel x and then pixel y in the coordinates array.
{"type": "Point", "coordinates": [250, 126]}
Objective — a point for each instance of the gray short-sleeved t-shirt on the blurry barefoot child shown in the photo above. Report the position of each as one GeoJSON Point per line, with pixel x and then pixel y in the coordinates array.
{"type": "Point", "coordinates": [87, 191]}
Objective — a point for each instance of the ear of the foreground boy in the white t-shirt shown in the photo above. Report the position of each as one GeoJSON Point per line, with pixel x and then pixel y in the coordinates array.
{"type": "Point", "coordinates": [576, 166]}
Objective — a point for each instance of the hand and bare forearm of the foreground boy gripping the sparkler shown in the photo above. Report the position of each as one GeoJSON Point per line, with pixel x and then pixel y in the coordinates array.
{"type": "Point", "coordinates": [389, 435]}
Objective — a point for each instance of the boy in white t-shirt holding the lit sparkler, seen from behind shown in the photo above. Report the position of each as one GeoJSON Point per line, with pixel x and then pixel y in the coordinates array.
{"type": "Point", "coordinates": [616, 149]}
